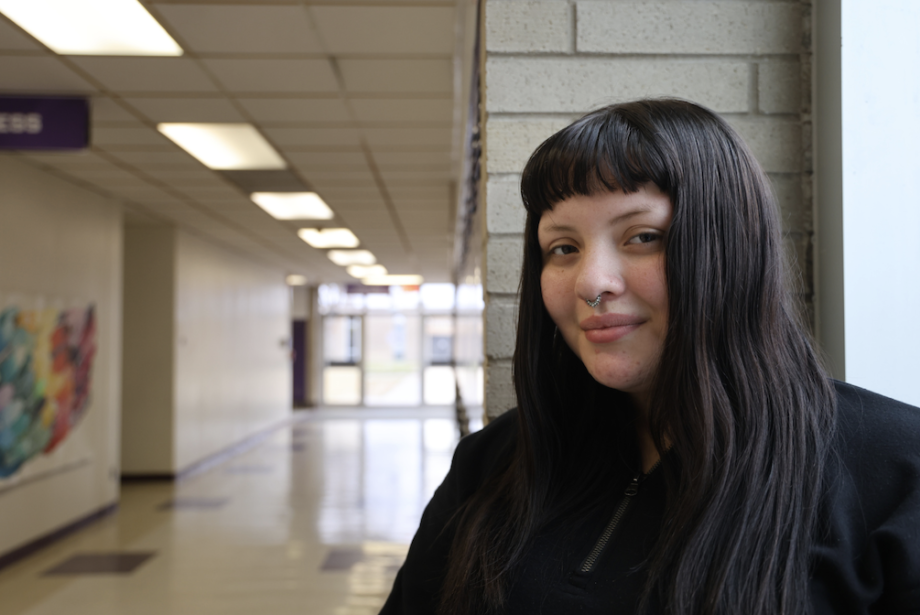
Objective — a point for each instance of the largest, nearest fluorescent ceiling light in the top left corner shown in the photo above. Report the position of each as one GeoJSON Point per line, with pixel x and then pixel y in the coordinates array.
{"type": "Point", "coordinates": [92, 27]}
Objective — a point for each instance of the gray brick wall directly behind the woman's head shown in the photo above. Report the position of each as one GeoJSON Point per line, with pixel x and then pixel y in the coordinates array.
{"type": "Point", "coordinates": [548, 62]}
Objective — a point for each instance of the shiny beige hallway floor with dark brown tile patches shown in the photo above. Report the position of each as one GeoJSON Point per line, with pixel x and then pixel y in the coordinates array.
{"type": "Point", "coordinates": [314, 520]}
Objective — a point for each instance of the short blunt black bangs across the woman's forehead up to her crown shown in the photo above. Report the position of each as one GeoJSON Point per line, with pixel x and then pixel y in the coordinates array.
{"type": "Point", "coordinates": [620, 147]}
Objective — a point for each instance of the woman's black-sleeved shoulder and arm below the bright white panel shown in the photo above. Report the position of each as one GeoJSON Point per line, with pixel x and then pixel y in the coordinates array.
{"type": "Point", "coordinates": [866, 554]}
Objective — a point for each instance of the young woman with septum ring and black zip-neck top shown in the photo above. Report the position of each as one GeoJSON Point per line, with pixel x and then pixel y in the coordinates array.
{"type": "Point", "coordinates": [677, 447]}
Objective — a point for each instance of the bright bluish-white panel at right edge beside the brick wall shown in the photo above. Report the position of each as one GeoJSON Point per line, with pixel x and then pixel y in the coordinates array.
{"type": "Point", "coordinates": [880, 101]}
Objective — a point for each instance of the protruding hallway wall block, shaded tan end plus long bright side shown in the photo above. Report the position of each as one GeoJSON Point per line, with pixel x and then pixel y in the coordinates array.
{"type": "Point", "coordinates": [206, 356]}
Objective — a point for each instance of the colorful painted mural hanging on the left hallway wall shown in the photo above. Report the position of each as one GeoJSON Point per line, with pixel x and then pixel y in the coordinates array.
{"type": "Point", "coordinates": [46, 358]}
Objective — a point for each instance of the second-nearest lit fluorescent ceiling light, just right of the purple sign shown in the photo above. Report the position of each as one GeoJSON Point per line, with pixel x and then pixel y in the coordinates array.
{"type": "Point", "coordinates": [226, 147]}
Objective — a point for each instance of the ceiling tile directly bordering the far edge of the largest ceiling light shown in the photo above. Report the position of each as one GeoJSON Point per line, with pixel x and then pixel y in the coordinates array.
{"type": "Point", "coordinates": [144, 74]}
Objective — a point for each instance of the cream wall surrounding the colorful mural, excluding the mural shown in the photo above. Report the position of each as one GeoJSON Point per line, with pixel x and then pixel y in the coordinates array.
{"type": "Point", "coordinates": [62, 244]}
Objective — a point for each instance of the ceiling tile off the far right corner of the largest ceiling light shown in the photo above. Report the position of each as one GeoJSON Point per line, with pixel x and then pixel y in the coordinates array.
{"type": "Point", "coordinates": [274, 75]}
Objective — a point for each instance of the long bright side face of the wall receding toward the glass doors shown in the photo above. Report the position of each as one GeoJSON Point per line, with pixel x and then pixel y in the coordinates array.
{"type": "Point", "coordinates": [232, 366]}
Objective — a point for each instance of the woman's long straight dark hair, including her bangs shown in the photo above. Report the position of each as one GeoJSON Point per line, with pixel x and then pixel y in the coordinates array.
{"type": "Point", "coordinates": [740, 395]}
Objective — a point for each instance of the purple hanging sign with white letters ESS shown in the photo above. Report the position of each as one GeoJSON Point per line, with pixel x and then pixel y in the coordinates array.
{"type": "Point", "coordinates": [48, 122]}
